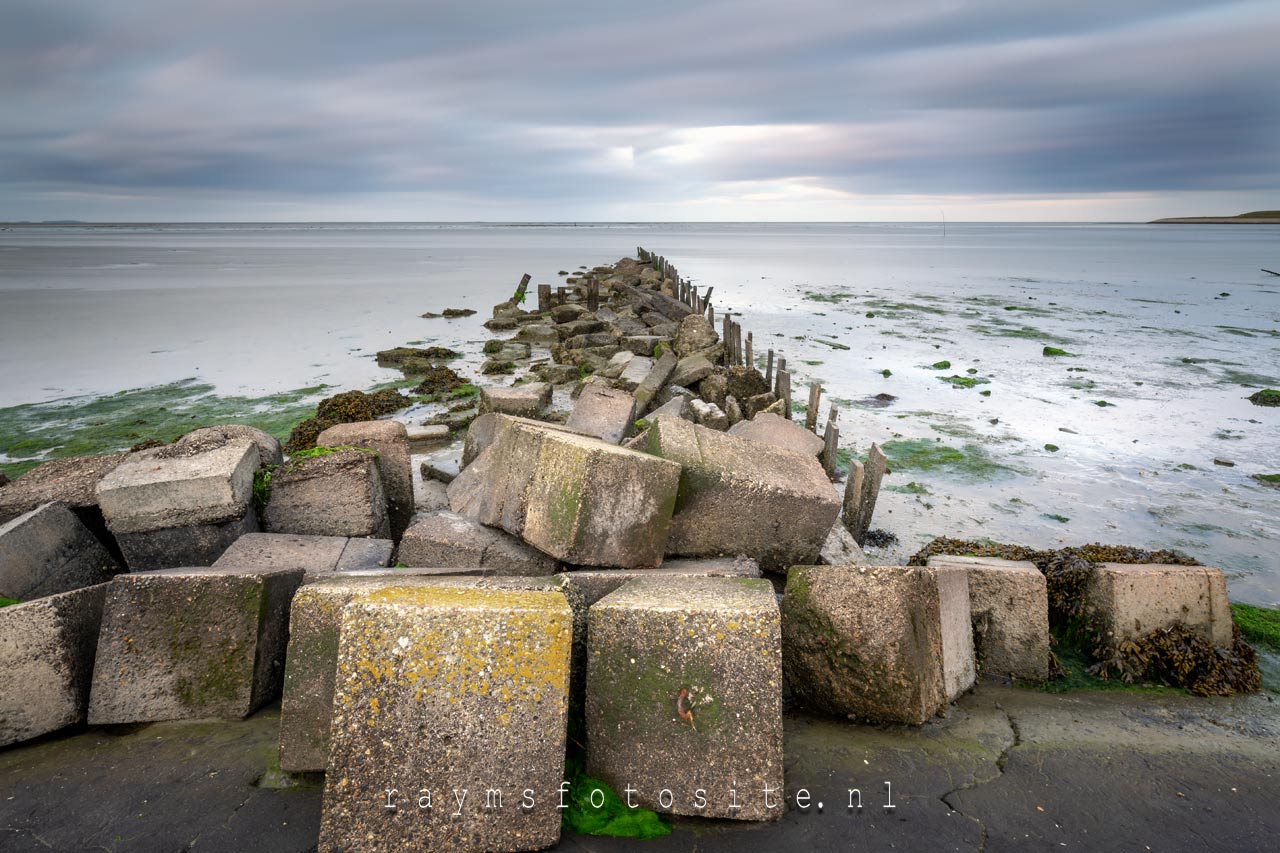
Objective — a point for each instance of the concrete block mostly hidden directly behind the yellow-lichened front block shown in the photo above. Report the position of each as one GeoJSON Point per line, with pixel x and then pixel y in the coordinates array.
{"type": "Point", "coordinates": [316, 623]}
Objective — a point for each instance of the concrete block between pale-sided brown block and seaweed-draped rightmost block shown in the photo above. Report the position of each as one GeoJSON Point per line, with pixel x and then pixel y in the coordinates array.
{"type": "Point", "coordinates": [1009, 609]}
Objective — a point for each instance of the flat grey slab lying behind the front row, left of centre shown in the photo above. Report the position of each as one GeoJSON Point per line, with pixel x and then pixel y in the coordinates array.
{"type": "Point", "coordinates": [314, 555]}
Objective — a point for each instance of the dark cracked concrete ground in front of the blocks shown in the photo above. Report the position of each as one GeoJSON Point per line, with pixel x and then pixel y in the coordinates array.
{"type": "Point", "coordinates": [1007, 769]}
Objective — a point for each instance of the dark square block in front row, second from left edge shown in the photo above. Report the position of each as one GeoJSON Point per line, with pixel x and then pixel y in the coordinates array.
{"type": "Point", "coordinates": [191, 644]}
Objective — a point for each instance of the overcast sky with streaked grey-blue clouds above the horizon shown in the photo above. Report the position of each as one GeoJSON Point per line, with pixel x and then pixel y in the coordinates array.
{"type": "Point", "coordinates": [285, 111]}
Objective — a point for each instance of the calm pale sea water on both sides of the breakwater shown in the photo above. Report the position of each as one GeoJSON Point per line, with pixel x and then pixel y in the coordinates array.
{"type": "Point", "coordinates": [1173, 327]}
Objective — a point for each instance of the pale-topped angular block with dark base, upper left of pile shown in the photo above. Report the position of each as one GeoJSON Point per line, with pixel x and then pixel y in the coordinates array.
{"type": "Point", "coordinates": [181, 504]}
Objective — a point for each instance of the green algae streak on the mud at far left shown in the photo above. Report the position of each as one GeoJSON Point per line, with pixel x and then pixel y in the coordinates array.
{"type": "Point", "coordinates": [34, 434]}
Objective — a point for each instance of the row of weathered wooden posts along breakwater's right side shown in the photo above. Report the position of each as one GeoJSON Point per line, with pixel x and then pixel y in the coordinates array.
{"type": "Point", "coordinates": [739, 350]}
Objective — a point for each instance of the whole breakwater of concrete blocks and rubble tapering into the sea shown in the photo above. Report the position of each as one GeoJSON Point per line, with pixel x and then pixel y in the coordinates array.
{"type": "Point", "coordinates": [602, 558]}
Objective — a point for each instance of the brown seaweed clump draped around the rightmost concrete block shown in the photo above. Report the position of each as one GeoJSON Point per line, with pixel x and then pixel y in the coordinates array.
{"type": "Point", "coordinates": [1174, 656]}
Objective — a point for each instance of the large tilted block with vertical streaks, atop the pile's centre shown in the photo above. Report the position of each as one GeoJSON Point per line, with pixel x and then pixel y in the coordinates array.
{"type": "Point", "coordinates": [577, 499]}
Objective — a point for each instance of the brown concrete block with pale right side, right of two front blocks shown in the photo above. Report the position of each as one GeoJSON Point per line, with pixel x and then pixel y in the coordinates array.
{"type": "Point", "coordinates": [867, 642]}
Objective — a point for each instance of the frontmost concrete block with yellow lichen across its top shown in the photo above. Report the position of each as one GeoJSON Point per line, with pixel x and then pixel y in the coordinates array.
{"type": "Point", "coordinates": [442, 690]}
